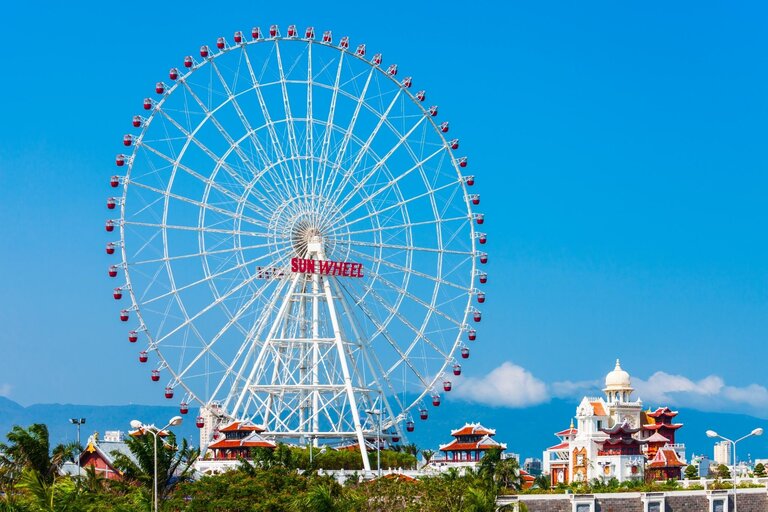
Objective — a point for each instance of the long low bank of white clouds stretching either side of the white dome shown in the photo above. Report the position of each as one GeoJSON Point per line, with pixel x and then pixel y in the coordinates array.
{"type": "Point", "coordinates": [510, 385]}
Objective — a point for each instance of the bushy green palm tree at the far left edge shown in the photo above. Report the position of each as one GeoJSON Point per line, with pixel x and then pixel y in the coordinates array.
{"type": "Point", "coordinates": [30, 448]}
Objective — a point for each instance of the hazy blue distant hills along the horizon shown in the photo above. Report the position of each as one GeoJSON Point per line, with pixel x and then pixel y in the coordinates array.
{"type": "Point", "coordinates": [526, 431]}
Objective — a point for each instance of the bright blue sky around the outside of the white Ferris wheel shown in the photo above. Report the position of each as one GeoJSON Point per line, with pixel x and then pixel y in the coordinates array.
{"type": "Point", "coordinates": [619, 150]}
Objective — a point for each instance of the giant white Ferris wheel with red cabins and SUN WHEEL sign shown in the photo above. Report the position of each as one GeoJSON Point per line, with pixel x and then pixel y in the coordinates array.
{"type": "Point", "coordinates": [298, 245]}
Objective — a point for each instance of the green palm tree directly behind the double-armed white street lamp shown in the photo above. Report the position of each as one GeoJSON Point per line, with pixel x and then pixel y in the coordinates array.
{"type": "Point", "coordinates": [174, 464]}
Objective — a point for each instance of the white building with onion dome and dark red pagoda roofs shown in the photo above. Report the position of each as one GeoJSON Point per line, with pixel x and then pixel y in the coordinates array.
{"type": "Point", "coordinates": [614, 437]}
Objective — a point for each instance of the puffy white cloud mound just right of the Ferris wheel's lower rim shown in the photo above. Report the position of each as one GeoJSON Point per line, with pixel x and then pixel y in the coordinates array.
{"type": "Point", "coordinates": [508, 385]}
